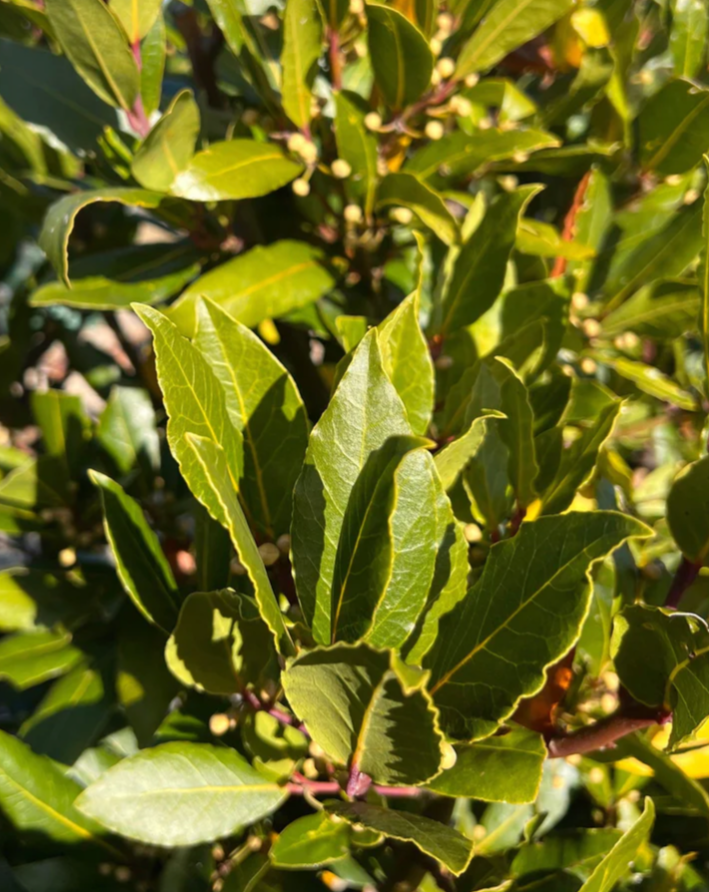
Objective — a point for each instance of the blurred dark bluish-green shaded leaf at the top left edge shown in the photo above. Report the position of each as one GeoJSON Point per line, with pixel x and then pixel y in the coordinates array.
{"type": "Point", "coordinates": [46, 91]}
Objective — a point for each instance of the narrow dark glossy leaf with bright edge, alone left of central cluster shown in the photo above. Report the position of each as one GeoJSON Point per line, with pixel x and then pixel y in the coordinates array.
{"type": "Point", "coordinates": [140, 562]}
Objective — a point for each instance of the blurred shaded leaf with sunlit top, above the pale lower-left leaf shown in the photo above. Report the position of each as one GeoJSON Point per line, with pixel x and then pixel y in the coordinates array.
{"type": "Point", "coordinates": [70, 716]}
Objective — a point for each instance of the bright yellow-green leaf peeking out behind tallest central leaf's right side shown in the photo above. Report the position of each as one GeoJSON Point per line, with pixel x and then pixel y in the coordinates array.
{"type": "Point", "coordinates": [407, 361]}
